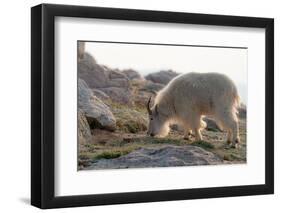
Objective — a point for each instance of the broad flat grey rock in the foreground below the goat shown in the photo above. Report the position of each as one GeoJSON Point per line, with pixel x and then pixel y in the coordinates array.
{"type": "Point", "coordinates": [164, 156]}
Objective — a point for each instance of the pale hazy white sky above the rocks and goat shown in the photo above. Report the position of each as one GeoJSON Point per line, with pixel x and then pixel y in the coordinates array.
{"type": "Point", "coordinates": [182, 59]}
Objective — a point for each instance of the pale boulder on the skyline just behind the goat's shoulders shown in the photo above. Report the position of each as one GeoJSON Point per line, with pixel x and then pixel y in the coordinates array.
{"type": "Point", "coordinates": [162, 77]}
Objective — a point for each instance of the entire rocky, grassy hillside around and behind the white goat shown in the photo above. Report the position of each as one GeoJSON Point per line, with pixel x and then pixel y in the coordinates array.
{"type": "Point", "coordinates": [112, 124]}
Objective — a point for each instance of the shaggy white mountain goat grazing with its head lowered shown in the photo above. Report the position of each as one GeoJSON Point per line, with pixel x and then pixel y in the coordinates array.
{"type": "Point", "coordinates": [189, 97]}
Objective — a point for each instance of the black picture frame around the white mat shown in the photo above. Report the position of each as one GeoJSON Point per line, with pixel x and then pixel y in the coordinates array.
{"type": "Point", "coordinates": [43, 102]}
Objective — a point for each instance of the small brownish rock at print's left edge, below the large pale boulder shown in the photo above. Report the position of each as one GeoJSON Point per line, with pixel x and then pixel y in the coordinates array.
{"type": "Point", "coordinates": [84, 132]}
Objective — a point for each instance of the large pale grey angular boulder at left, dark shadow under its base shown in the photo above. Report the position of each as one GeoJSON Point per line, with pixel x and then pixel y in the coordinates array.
{"type": "Point", "coordinates": [98, 114]}
